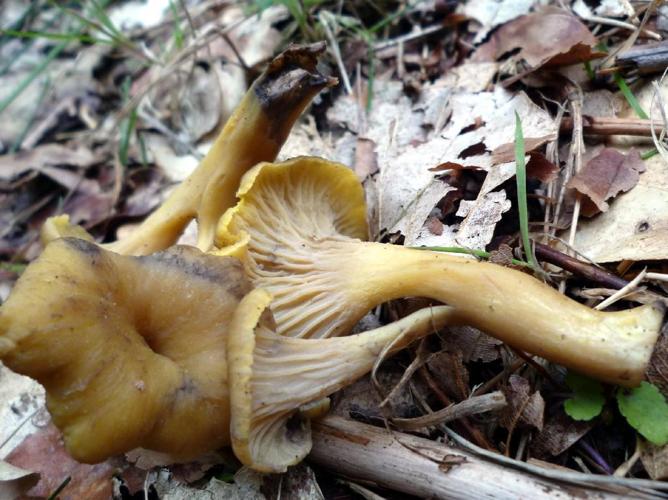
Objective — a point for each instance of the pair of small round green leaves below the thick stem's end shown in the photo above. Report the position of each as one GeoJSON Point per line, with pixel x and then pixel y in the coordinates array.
{"type": "Point", "coordinates": [644, 407]}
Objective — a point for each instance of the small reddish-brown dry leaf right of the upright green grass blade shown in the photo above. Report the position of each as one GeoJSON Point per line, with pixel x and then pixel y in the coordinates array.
{"type": "Point", "coordinates": [605, 176]}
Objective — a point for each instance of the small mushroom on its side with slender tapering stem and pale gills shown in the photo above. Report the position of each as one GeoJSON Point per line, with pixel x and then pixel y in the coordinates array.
{"type": "Point", "coordinates": [272, 376]}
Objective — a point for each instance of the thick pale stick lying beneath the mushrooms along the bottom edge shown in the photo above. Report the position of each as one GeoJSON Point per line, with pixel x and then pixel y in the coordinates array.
{"type": "Point", "coordinates": [427, 469]}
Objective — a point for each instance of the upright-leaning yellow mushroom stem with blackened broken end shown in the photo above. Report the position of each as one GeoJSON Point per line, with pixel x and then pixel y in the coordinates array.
{"type": "Point", "coordinates": [255, 132]}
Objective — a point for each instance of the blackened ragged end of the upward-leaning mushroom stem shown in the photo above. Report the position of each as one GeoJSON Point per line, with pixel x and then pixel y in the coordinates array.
{"type": "Point", "coordinates": [289, 82]}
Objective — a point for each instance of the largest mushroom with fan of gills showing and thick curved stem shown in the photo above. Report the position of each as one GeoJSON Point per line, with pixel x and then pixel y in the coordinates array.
{"type": "Point", "coordinates": [299, 227]}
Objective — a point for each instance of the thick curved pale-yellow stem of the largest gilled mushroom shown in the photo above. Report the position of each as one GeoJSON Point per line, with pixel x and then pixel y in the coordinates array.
{"type": "Point", "coordinates": [510, 305]}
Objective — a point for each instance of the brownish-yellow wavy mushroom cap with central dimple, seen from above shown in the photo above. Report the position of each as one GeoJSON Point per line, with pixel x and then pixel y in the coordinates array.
{"type": "Point", "coordinates": [131, 350]}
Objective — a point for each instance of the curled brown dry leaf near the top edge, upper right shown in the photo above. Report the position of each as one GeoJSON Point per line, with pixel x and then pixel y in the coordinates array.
{"type": "Point", "coordinates": [550, 37]}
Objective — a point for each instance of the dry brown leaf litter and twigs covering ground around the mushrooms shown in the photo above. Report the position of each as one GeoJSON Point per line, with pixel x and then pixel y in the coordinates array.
{"type": "Point", "coordinates": [107, 117]}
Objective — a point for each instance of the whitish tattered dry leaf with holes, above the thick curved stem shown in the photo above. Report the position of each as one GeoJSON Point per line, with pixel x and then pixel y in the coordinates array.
{"type": "Point", "coordinates": [479, 123]}
